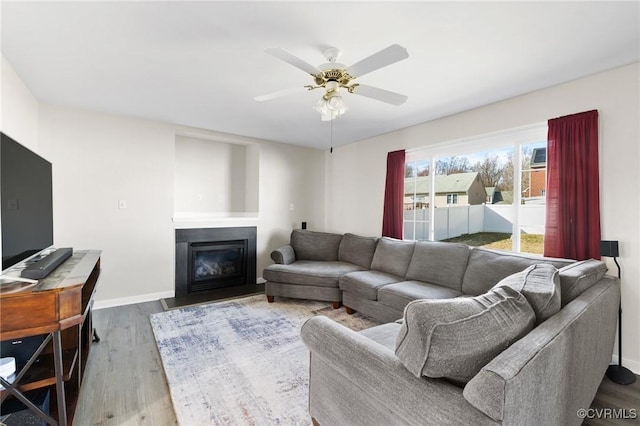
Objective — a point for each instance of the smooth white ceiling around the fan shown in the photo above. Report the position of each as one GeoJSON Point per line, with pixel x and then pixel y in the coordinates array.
{"type": "Point", "coordinates": [200, 64]}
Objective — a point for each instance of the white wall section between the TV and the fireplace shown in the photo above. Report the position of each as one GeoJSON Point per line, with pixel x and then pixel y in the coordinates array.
{"type": "Point", "coordinates": [99, 160]}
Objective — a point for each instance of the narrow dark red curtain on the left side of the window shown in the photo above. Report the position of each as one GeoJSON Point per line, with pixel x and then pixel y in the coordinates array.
{"type": "Point", "coordinates": [394, 196]}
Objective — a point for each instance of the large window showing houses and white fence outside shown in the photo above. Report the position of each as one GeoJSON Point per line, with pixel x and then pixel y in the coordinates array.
{"type": "Point", "coordinates": [486, 191]}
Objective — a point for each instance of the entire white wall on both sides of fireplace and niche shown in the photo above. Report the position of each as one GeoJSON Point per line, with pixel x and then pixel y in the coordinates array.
{"type": "Point", "coordinates": [100, 159]}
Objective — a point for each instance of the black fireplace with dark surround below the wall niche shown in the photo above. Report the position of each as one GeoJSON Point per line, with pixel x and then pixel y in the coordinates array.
{"type": "Point", "coordinates": [215, 262]}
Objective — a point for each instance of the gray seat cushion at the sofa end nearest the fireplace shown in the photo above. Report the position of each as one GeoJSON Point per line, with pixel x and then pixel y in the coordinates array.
{"type": "Point", "coordinates": [309, 272]}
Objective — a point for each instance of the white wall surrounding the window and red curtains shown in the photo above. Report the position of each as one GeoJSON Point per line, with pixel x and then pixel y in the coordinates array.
{"type": "Point", "coordinates": [356, 172]}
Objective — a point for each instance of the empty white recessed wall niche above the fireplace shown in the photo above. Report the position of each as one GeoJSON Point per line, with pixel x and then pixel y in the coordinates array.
{"type": "Point", "coordinates": [214, 178]}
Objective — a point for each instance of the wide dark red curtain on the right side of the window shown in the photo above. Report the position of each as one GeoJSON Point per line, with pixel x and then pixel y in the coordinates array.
{"type": "Point", "coordinates": [572, 227]}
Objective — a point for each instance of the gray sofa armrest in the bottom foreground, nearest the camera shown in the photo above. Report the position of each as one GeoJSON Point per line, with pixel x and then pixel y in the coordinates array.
{"type": "Point", "coordinates": [355, 380]}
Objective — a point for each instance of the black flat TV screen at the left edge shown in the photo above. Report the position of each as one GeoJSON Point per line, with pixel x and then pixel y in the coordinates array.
{"type": "Point", "coordinates": [27, 206]}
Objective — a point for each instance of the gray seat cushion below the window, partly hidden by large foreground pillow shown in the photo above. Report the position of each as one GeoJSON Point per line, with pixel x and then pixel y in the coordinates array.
{"type": "Point", "coordinates": [399, 295]}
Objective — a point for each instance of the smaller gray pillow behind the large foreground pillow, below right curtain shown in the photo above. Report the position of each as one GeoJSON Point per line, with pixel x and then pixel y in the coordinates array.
{"type": "Point", "coordinates": [540, 284]}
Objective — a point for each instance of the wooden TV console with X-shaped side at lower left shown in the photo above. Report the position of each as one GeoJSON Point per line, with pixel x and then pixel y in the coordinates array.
{"type": "Point", "coordinates": [58, 307]}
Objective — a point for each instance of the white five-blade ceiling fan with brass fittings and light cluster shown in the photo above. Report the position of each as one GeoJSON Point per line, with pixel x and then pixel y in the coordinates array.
{"type": "Point", "coordinates": [332, 76]}
